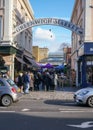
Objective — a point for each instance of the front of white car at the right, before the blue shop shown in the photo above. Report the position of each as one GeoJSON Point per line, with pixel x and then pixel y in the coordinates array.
{"type": "Point", "coordinates": [84, 96]}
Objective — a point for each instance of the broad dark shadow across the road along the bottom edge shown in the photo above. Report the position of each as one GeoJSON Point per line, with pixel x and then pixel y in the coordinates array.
{"type": "Point", "coordinates": [21, 121]}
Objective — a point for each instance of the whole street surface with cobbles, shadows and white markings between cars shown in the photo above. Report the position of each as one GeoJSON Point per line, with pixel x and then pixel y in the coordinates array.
{"type": "Point", "coordinates": [41, 110]}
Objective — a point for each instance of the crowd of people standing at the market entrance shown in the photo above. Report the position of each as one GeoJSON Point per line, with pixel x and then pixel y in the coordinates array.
{"type": "Point", "coordinates": [37, 81]}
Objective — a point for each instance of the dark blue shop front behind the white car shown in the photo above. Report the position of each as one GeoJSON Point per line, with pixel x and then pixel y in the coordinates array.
{"type": "Point", "coordinates": [85, 65]}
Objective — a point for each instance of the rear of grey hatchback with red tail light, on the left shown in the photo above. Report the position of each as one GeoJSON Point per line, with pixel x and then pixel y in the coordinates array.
{"type": "Point", "coordinates": [8, 92]}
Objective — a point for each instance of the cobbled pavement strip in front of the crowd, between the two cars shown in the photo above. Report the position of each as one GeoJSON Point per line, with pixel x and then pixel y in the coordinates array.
{"type": "Point", "coordinates": [65, 93]}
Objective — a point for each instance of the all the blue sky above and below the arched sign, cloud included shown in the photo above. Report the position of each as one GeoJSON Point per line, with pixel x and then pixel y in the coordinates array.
{"type": "Point", "coordinates": [51, 9]}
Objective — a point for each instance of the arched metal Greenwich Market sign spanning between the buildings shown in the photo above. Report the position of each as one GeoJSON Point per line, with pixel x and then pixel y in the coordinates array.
{"type": "Point", "coordinates": [49, 21]}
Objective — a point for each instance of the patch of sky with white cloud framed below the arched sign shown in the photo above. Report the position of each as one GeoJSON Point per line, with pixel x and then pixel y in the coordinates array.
{"type": "Point", "coordinates": [50, 39]}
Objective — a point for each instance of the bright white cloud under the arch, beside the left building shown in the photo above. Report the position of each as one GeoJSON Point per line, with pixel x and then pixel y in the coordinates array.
{"type": "Point", "coordinates": [43, 34]}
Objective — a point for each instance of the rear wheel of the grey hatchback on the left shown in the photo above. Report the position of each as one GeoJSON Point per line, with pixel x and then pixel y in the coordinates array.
{"type": "Point", "coordinates": [6, 100]}
